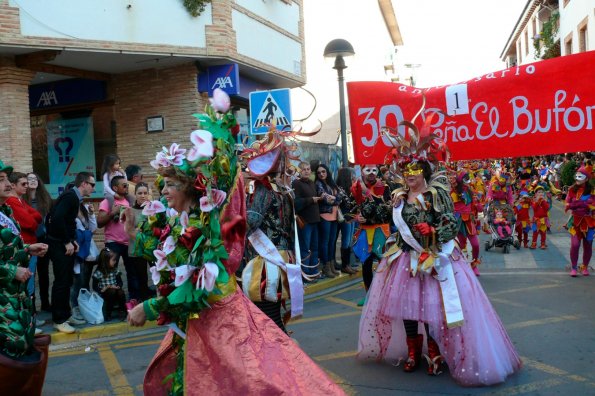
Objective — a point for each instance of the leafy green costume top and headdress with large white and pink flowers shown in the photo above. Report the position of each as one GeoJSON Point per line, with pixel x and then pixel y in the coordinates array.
{"type": "Point", "coordinates": [191, 249]}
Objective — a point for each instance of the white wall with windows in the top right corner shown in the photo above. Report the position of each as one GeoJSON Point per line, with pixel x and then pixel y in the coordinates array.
{"type": "Point", "coordinates": [570, 18]}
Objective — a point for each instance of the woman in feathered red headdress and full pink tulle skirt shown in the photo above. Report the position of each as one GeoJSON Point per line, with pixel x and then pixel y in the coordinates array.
{"type": "Point", "coordinates": [425, 285]}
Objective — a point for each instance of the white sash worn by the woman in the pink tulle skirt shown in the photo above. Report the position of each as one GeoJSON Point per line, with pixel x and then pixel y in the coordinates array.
{"type": "Point", "coordinates": [448, 286]}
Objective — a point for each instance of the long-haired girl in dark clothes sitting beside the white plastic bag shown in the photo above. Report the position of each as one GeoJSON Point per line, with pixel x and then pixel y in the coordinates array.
{"type": "Point", "coordinates": [108, 283]}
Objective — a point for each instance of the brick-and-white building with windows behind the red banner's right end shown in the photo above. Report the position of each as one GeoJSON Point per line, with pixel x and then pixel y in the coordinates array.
{"type": "Point", "coordinates": [548, 28]}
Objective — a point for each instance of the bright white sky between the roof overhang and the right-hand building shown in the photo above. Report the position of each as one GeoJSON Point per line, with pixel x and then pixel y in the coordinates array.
{"type": "Point", "coordinates": [454, 40]}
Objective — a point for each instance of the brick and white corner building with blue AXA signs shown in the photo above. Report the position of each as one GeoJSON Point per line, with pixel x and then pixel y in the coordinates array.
{"type": "Point", "coordinates": [134, 71]}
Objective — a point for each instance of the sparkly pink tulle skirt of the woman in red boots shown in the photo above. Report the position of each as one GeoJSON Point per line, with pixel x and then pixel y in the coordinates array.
{"type": "Point", "coordinates": [477, 353]}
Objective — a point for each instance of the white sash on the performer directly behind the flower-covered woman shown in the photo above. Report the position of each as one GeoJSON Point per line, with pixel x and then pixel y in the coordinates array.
{"type": "Point", "coordinates": [265, 248]}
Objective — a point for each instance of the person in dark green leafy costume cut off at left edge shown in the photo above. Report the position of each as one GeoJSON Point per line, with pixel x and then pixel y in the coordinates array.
{"type": "Point", "coordinates": [23, 356]}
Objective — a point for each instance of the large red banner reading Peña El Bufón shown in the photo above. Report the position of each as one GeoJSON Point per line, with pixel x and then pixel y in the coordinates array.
{"type": "Point", "coordinates": [547, 107]}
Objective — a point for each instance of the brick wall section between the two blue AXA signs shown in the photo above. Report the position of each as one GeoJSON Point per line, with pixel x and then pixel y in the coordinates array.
{"type": "Point", "coordinates": [170, 93]}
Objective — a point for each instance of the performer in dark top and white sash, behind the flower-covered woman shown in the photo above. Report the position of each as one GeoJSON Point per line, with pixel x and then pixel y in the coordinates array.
{"type": "Point", "coordinates": [271, 276]}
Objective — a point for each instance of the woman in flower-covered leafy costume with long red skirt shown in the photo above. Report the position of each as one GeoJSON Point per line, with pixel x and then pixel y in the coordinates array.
{"type": "Point", "coordinates": [219, 342]}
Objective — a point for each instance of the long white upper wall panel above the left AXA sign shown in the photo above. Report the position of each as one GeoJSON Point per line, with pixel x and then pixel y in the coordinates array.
{"type": "Point", "coordinates": [144, 22]}
